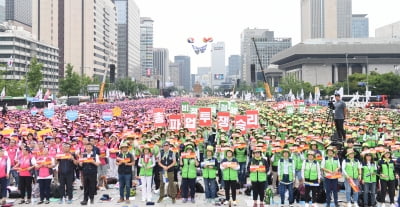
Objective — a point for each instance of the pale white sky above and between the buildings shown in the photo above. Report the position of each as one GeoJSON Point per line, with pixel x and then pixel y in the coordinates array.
{"type": "Point", "coordinates": [224, 20]}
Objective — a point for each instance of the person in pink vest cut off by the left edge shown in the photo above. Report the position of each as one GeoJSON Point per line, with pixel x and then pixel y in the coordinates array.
{"type": "Point", "coordinates": [5, 166]}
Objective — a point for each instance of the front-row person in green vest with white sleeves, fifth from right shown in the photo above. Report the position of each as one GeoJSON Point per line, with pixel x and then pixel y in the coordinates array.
{"type": "Point", "coordinates": [311, 174]}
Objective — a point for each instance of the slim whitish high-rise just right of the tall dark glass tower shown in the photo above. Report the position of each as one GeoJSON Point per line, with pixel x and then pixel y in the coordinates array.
{"type": "Point", "coordinates": [146, 46]}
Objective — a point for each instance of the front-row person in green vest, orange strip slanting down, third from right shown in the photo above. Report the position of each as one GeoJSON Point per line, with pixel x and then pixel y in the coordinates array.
{"type": "Point", "coordinates": [351, 169]}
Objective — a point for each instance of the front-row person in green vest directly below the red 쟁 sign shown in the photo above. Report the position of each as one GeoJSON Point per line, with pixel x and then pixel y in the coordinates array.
{"type": "Point", "coordinates": [229, 168]}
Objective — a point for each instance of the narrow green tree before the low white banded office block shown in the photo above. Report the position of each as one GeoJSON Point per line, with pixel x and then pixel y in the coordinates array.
{"type": "Point", "coordinates": [34, 76]}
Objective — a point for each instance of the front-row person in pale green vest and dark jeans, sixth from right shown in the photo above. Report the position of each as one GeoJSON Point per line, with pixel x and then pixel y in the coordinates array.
{"type": "Point", "coordinates": [286, 175]}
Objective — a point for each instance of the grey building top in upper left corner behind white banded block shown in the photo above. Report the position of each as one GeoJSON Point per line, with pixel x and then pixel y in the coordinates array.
{"type": "Point", "coordinates": [19, 13]}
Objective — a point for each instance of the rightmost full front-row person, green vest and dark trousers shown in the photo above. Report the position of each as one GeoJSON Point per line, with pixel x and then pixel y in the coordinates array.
{"type": "Point", "coordinates": [386, 171]}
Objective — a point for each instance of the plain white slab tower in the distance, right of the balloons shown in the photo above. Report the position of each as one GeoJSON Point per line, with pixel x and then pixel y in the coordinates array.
{"type": "Point", "coordinates": [218, 68]}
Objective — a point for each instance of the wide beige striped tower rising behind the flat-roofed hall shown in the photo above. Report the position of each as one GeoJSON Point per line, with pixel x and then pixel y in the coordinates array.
{"type": "Point", "coordinates": [325, 19]}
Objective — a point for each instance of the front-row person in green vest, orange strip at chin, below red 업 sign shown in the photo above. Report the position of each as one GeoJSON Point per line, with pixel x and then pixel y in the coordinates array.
{"type": "Point", "coordinates": [188, 163]}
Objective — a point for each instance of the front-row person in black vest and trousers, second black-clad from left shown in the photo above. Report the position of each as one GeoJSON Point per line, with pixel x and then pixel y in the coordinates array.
{"type": "Point", "coordinates": [89, 168]}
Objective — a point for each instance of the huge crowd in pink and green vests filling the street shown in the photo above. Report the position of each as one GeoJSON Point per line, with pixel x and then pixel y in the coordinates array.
{"type": "Point", "coordinates": [287, 152]}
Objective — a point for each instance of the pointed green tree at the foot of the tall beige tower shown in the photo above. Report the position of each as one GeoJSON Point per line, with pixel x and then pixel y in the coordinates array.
{"type": "Point", "coordinates": [70, 85]}
